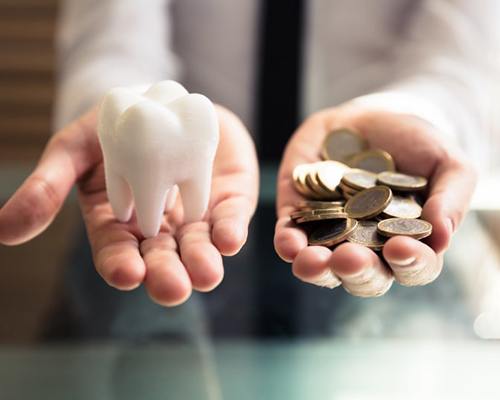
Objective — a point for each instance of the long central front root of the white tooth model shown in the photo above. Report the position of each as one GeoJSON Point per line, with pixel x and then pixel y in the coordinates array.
{"type": "Point", "coordinates": [149, 199]}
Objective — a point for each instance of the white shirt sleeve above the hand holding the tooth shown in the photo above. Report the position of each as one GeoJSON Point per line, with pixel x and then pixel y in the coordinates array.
{"type": "Point", "coordinates": [106, 43]}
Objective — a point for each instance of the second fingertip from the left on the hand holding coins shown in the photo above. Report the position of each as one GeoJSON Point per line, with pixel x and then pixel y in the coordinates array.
{"type": "Point", "coordinates": [311, 266]}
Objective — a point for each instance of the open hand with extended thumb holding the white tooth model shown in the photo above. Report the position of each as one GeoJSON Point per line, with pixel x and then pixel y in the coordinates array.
{"type": "Point", "coordinates": [183, 256]}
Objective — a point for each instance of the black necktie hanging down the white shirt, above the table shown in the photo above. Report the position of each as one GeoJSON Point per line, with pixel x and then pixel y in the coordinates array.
{"type": "Point", "coordinates": [278, 97]}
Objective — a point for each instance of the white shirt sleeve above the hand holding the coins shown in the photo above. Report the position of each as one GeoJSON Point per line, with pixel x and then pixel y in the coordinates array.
{"type": "Point", "coordinates": [445, 68]}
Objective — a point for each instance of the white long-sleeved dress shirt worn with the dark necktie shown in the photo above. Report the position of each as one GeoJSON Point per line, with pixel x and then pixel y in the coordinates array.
{"type": "Point", "coordinates": [432, 58]}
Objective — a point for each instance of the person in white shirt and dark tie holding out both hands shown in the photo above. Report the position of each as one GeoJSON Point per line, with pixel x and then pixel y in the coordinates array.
{"type": "Point", "coordinates": [412, 77]}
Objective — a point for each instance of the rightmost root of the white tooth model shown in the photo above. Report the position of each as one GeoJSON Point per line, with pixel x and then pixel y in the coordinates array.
{"type": "Point", "coordinates": [195, 193]}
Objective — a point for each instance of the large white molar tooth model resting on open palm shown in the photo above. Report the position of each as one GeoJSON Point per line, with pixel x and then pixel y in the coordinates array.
{"type": "Point", "coordinates": [151, 141]}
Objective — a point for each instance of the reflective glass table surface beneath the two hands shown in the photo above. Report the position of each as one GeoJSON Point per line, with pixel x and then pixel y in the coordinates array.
{"type": "Point", "coordinates": [239, 343]}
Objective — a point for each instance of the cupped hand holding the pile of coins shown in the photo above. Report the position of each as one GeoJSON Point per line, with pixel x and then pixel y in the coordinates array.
{"type": "Point", "coordinates": [416, 148]}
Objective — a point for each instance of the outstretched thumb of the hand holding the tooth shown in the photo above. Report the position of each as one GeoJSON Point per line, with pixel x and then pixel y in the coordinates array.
{"type": "Point", "coordinates": [32, 208]}
